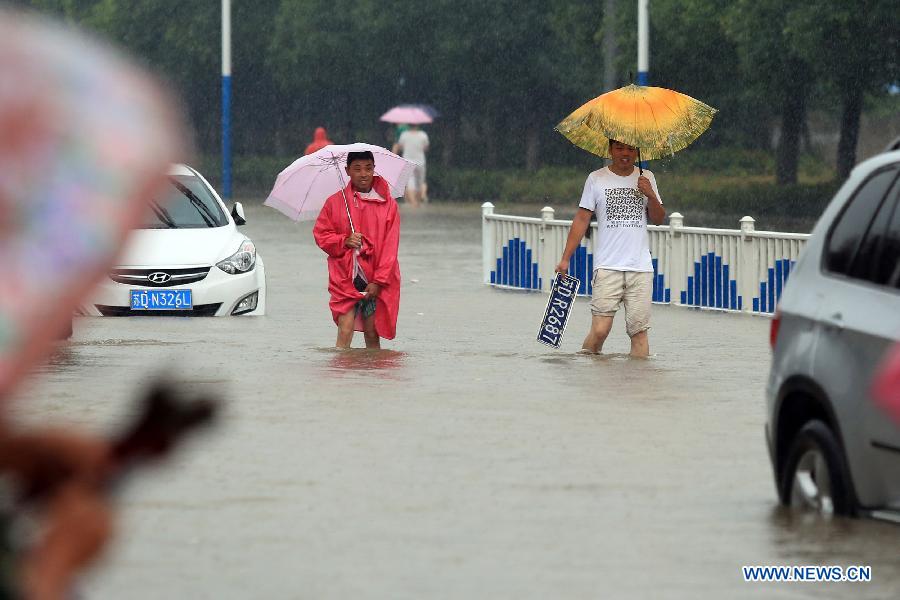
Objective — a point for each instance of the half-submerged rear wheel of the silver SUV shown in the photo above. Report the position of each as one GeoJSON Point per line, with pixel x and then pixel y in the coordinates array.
{"type": "Point", "coordinates": [815, 475]}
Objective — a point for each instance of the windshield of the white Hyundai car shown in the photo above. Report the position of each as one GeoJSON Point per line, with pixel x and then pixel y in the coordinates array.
{"type": "Point", "coordinates": [185, 203]}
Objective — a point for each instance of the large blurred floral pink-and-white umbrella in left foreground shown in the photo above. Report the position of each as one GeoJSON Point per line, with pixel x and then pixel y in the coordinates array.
{"type": "Point", "coordinates": [85, 139]}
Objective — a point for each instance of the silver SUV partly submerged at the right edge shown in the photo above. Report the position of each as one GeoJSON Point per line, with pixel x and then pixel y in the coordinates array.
{"type": "Point", "coordinates": [833, 449]}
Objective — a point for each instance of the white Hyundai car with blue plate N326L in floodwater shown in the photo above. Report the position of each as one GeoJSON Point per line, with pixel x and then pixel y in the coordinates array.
{"type": "Point", "coordinates": [188, 258]}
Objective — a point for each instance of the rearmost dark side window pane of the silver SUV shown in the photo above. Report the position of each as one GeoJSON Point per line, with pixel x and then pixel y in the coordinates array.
{"type": "Point", "coordinates": [855, 221]}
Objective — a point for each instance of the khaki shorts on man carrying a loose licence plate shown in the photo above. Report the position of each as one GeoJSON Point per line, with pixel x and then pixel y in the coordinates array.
{"type": "Point", "coordinates": [631, 288]}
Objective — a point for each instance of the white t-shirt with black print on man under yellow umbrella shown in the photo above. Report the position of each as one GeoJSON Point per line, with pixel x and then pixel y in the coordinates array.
{"type": "Point", "coordinates": [622, 242]}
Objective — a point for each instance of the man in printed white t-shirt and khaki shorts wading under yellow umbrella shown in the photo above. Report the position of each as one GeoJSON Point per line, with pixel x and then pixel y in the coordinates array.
{"type": "Point", "coordinates": [624, 199]}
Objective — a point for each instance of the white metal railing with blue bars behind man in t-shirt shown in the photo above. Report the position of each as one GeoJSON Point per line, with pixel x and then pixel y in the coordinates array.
{"type": "Point", "coordinates": [723, 269]}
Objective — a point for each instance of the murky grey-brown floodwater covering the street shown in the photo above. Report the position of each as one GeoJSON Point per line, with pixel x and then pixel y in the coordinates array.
{"type": "Point", "coordinates": [465, 460]}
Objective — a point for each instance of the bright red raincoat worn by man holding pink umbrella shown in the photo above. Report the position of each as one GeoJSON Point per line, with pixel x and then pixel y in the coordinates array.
{"type": "Point", "coordinates": [379, 223]}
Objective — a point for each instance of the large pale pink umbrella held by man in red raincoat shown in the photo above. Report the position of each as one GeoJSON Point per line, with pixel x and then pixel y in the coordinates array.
{"type": "Point", "coordinates": [301, 189]}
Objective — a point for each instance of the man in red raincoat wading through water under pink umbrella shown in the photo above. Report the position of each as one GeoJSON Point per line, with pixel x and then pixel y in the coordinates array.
{"type": "Point", "coordinates": [367, 255]}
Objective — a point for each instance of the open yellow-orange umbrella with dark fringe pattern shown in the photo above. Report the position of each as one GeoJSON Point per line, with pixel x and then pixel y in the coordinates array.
{"type": "Point", "coordinates": [657, 121]}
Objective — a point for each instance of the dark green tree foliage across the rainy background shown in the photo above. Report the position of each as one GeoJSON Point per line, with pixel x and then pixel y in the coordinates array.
{"type": "Point", "coordinates": [502, 73]}
